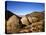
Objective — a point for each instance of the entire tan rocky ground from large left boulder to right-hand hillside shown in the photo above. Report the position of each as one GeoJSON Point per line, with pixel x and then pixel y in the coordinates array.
{"type": "Point", "coordinates": [33, 22]}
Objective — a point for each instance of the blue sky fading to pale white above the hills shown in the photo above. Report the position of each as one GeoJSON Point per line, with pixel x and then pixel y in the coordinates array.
{"type": "Point", "coordinates": [23, 8]}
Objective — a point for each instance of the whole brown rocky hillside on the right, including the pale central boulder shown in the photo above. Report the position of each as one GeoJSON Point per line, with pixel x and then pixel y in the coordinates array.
{"type": "Point", "coordinates": [34, 21]}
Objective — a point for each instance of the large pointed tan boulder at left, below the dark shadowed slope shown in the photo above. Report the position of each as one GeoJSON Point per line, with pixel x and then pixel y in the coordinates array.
{"type": "Point", "coordinates": [12, 23]}
